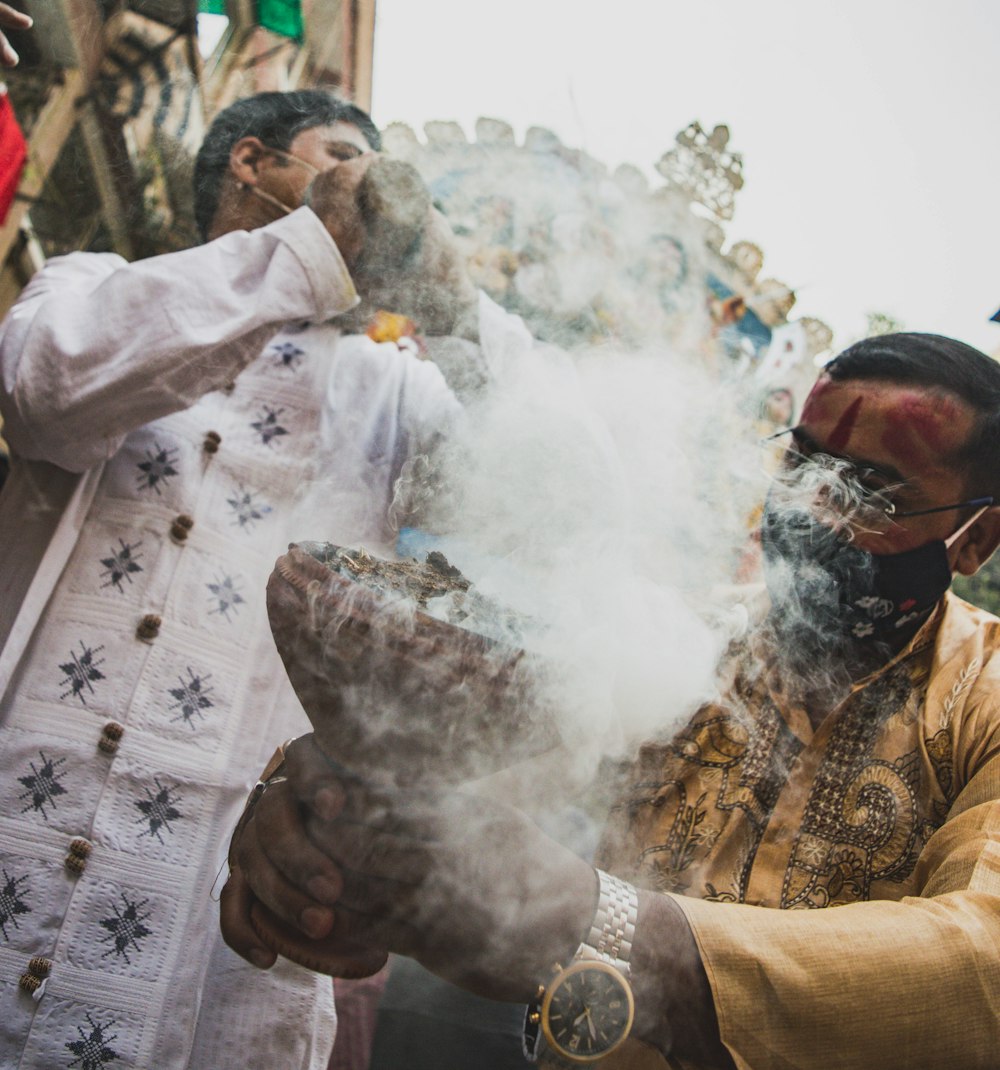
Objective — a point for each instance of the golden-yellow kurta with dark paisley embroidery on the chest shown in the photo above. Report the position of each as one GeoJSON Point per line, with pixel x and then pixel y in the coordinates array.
{"type": "Point", "coordinates": [890, 809]}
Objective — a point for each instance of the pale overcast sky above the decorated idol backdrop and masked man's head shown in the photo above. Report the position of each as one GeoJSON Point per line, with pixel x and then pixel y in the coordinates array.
{"type": "Point", "coordinates": [869, 129]}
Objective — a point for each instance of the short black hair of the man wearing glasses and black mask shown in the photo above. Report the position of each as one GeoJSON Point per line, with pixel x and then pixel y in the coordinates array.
{"type": "Point", "coordinates": [934, 361]}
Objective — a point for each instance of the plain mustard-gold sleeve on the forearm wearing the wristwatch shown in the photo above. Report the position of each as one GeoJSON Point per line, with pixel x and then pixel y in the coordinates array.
{"type": "Point", "coordinates": [910, 985]}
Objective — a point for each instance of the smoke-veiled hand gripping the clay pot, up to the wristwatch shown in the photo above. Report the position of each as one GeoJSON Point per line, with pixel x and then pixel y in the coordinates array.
{"type": "Point", "coordinates": [471, 889]}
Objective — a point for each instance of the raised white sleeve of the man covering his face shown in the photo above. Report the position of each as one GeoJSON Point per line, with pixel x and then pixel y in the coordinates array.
{"type": "Point", "coordinates": [97, 347]}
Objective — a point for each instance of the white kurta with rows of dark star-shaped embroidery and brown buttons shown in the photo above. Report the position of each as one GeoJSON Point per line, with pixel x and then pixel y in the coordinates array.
{"type": "Point", "coordinates": [206, 434]}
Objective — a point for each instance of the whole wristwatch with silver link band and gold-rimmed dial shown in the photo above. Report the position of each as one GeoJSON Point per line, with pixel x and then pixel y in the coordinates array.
{"type": "Point", "coordinates": [587, 1011]}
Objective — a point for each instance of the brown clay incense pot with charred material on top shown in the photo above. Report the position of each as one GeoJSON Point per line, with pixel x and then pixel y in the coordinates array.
{"type": "Point", "coordinates": [395, 696]}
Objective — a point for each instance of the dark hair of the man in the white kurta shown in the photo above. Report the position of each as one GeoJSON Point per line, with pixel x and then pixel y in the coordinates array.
{"type": "Point", "coordinates": [274, 118]}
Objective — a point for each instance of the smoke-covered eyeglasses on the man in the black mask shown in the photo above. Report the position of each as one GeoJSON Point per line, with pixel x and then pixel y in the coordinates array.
{"type": "Point", "coordinates": [844, 487]}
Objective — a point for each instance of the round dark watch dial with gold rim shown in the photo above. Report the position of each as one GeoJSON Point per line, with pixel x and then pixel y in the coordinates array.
{"type": "Point", "coordinates": [588, 1012]}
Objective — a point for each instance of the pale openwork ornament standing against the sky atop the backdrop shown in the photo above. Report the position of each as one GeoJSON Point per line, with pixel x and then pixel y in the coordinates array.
{"type": "Point", "coordinates": [702, 167]}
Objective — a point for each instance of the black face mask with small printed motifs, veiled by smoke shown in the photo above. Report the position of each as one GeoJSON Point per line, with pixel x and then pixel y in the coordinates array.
{"type": "Point", "coordinates": [836, 590]}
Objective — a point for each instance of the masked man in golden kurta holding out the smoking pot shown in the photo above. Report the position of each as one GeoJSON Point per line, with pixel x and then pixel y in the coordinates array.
{"type": "Point", "coordinates": [851, 760]}
